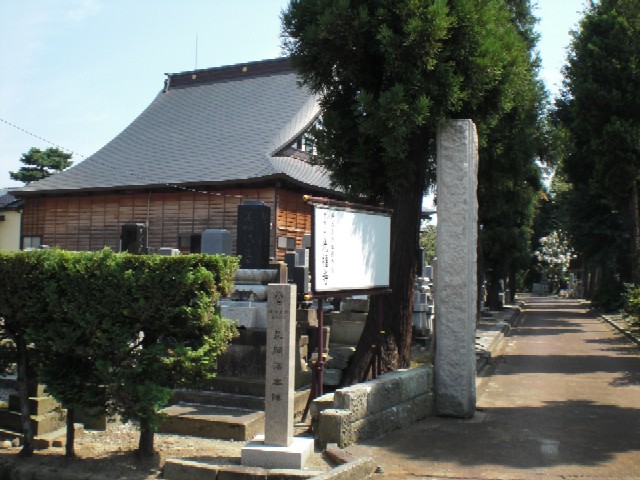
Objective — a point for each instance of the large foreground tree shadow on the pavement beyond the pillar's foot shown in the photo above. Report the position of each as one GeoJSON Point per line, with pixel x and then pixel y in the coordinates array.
{"type": "Point", "coordinates": [525, 438]}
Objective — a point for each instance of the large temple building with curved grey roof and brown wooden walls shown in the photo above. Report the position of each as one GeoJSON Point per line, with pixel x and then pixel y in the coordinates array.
{"type": "Point", "coordinates": [211, 140]}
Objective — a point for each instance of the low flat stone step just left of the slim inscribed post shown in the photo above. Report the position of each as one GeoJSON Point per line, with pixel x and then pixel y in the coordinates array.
{"type": "Point", "coordinates": [210, 421]}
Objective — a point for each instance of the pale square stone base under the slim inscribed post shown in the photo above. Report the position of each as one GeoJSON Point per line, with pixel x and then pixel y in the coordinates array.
{"type": "Point", "coordinates": [295, 456]}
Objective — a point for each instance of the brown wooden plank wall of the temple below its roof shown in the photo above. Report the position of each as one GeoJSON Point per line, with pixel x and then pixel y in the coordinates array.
{"type": "Point", "coordinates": [91, 222]}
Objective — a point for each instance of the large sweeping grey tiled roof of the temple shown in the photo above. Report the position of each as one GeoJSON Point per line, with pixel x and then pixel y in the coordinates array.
{"type": "Point", "coordinates": [207, 127]}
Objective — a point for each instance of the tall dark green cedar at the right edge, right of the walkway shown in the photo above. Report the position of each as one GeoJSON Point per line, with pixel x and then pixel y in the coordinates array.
{"type": "Point", "coordinates": [600, 109]}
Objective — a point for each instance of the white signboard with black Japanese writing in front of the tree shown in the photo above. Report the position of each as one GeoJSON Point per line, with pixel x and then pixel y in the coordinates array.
{"type": "Point", "coordinates": [350, 249]}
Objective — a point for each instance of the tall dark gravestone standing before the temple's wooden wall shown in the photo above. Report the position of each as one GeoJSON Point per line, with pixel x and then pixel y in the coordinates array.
{"type": "Point", "coordinates": [254, 228]}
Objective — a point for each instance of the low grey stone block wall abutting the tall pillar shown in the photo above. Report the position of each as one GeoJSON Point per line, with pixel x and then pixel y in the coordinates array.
{"type": "Point", "coordinates": [368, 410]}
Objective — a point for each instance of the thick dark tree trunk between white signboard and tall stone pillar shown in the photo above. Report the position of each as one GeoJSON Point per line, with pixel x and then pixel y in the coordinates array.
{"type": "Point", "coordinates": [397, 306]}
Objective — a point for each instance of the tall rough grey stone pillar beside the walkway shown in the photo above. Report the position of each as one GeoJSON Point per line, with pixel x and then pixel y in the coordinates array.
{"type": "Point", "coordinates": [456, 275]}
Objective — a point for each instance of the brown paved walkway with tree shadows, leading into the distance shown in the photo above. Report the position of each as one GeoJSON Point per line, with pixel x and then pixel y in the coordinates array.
{"type": "Point", "coordinates": [562, 400]}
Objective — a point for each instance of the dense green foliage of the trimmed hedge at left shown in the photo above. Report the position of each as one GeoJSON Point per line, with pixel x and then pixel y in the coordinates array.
{"type": "Point", "coordinates": [117, 332]}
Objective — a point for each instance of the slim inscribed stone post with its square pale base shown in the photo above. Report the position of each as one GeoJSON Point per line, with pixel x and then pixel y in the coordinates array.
{"type": "Point", "coordinates": [278, 448]}
